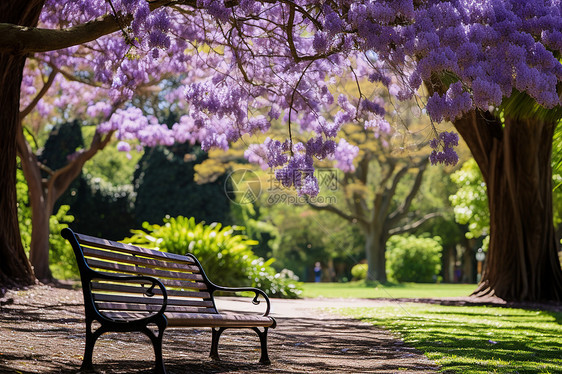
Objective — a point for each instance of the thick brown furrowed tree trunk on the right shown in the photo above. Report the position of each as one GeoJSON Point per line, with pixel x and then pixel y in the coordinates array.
{"type": "Point", "coordinates": [515, 159]}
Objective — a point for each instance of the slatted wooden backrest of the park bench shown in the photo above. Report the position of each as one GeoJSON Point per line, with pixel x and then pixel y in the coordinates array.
{"type": "Point", "coordinates": [182, 276]}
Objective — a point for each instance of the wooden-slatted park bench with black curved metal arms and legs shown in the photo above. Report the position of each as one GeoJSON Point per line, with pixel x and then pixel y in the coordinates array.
{"type": "Point", "coordinates": [127, 288]}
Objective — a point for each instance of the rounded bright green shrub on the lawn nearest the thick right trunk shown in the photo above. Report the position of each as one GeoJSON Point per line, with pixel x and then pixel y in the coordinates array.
{"type": "Point", "coordinates": [413, 259]}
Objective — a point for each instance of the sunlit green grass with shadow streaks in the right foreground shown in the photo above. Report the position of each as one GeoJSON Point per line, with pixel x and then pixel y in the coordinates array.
{"type": "Point", "coordinates": [475, 339]}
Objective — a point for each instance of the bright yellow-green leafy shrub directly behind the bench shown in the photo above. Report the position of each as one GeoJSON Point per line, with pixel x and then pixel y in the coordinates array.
{"type": "Point", "coordinates": [225, 255]}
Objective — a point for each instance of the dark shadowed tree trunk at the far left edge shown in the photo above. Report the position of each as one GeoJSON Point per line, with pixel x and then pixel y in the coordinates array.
{"type": "Point", "coordinates": [14, 266]}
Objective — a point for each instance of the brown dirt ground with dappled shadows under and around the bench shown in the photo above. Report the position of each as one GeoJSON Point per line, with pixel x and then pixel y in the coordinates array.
{"type": "Point", "coordinates": [42, 331]}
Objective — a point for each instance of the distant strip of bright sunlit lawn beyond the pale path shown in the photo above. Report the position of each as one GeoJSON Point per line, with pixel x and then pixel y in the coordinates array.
{"type": "Point", "coordinates": [390, 290]}
